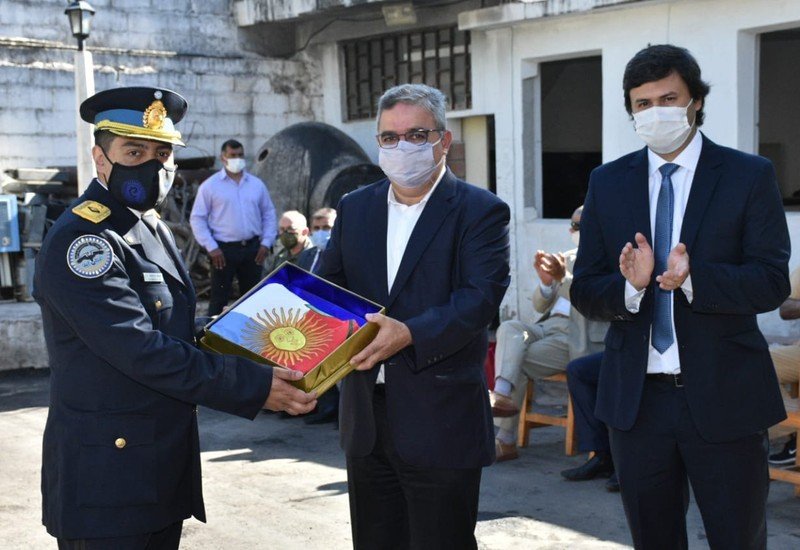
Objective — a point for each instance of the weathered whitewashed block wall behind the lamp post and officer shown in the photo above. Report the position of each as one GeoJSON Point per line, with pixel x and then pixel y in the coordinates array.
{"type": "Point", "coordinates": [190, 46]}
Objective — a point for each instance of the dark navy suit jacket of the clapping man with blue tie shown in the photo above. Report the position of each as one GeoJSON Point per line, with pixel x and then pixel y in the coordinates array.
{"type": "Point", "coordinates": [735, 232]}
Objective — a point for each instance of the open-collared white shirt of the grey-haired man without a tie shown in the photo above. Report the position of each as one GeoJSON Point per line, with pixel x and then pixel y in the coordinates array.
{"type": "Point", "coordinates": [401, 221]}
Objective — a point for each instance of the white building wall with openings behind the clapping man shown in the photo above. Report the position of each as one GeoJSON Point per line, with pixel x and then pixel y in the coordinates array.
{"type": "Point", "coordinates": [720, 33]}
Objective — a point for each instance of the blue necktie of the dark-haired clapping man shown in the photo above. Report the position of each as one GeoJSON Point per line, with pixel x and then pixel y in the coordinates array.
{"type": "Point", "coordinates": [662, 243]}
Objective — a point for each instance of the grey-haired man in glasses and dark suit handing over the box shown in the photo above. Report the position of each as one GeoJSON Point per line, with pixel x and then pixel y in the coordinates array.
{"type": "Point", "coordinates": [415, 420]}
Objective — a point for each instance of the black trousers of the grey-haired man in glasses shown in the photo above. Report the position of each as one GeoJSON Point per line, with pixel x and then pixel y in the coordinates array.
{"type": "Point", "coordinates": [397, 506]}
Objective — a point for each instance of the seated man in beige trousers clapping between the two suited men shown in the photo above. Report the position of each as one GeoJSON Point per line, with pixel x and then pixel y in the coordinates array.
{"type": "Point", "coordinates": [542, 349]}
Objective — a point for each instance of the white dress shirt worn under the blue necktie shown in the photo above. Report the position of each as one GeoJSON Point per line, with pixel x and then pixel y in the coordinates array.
{"type": "Point", "coordinates": [668, 362]}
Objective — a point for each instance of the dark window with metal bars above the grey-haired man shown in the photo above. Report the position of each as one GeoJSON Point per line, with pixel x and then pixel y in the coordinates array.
{"type": "Point", "coordinates": [436, 57]}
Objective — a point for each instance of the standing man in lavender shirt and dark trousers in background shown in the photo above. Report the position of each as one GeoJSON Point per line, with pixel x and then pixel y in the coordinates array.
{"type": "Point", "coordinates": [233, 218]}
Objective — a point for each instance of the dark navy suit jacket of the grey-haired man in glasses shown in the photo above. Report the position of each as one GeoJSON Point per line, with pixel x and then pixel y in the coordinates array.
{"type": "Point", "coordinates": [450, 283]}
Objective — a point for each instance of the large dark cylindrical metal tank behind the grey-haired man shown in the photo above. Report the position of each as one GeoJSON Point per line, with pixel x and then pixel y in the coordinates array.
{"type": "Point", "coordinates": [310, 165]}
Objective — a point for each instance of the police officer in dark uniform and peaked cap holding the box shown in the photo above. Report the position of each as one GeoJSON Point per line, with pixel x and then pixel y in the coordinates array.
{"type": "Point", "coordinates": [121, 458]}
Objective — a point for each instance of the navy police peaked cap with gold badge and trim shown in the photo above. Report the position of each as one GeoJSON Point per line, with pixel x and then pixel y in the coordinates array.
{"type": "Point", "coordinates": [137, 112]}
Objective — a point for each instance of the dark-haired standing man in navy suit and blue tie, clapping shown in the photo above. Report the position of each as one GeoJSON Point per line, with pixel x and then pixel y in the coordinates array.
{"type": "Point", "coordinates": [686, 386]}
